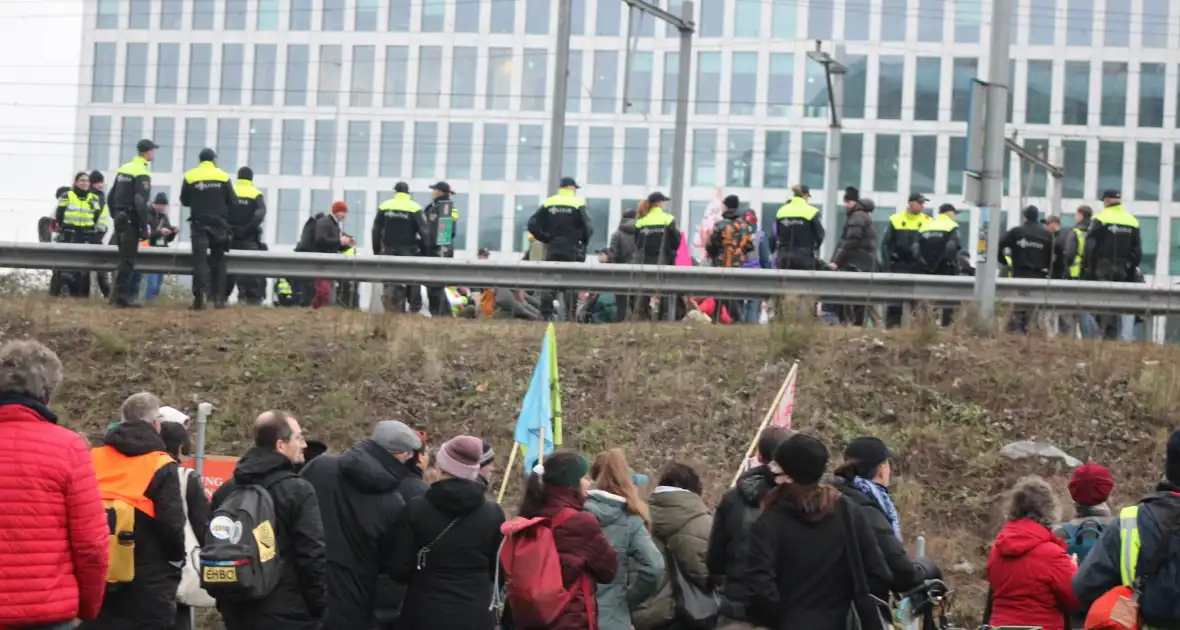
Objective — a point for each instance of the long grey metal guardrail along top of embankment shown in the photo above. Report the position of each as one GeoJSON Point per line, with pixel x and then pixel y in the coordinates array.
{"type": "Point", "coordinates": [729, 284]}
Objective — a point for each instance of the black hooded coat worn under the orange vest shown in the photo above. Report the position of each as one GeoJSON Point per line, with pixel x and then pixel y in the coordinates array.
{"type": "Point", "coordinates": [149, 601]}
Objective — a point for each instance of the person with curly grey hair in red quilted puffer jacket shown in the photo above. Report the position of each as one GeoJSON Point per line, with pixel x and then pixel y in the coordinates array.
{"type": "Point", "coordinates": [48, 488]}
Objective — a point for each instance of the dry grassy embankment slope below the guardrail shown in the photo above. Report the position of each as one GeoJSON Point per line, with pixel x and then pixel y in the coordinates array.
{"type": "Point", "coordinates": [945, 401]}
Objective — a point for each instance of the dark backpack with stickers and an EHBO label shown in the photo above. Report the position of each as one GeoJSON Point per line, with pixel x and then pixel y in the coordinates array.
{"type": "Point", "coordinates": [240, 561]}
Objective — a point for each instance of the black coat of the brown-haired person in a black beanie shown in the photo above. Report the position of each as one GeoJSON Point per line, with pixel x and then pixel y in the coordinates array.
{"type": "Point", "coordinates": [801, 575]}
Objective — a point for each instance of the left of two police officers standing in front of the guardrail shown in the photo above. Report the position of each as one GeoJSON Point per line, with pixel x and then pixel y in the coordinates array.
{"type": "Point", "coordinates": [129, 204]}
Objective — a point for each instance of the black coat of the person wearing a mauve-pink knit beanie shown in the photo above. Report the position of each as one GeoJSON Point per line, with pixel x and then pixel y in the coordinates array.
{"type": "Point", "coordinates": [455, 587]}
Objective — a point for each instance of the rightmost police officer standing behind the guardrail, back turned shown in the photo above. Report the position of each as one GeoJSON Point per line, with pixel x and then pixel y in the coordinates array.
{"type": "Point", "coordinates": [1113, 251]}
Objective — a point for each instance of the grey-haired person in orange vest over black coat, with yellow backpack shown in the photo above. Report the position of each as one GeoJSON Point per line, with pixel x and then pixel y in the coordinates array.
{"type": "Point", "coordinates": [135, 471]}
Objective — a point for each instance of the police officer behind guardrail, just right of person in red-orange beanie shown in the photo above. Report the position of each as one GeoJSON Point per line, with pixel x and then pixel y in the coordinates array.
{"type": "Point", "coordinates": [401, 229]}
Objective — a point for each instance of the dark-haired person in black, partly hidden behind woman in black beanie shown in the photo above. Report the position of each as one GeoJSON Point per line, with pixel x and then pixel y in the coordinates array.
{"type": "Point", "coordinates": [737, 513]}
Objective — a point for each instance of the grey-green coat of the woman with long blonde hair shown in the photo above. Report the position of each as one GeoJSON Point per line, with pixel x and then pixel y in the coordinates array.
{"type": "Point", "coordinates": [641, 565]}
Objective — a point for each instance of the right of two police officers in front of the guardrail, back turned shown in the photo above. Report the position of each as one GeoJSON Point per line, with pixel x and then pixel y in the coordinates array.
{"type": "Point", "coordinates": [209, 196]}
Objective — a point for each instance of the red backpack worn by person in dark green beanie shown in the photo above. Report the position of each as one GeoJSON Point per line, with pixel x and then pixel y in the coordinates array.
{"type": "Point", "coordinates": [533, 573]}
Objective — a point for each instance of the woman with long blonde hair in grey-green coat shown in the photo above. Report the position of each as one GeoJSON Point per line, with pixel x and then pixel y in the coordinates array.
{"type": "Point", "coordinates": [615, 501]}
